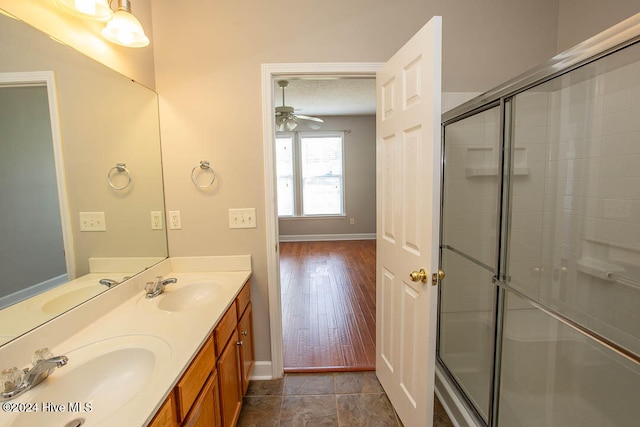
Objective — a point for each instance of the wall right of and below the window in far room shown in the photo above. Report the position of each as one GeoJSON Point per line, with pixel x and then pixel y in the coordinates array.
{"type": "Point", "coordinates": [359, 179]}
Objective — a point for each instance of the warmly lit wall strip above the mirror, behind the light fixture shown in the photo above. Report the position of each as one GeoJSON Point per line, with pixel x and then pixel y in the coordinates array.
{"type": "Point", "coordinates": [85, 36]}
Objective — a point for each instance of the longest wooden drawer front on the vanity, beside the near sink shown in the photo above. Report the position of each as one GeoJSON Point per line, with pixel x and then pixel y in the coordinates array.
{"type": "Point", "coordinates": [192, 381]}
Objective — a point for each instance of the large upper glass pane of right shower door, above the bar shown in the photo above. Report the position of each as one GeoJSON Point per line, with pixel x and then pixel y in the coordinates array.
{"type": "Point", "coordinates": [575, 216]}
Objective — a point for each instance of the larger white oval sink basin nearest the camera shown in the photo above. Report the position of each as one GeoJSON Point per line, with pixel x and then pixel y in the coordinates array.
{"type": "Point", "coordinates": [99, 380]}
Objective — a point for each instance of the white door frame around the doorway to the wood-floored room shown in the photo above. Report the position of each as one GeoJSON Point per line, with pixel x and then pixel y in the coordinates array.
{"type": "Point", "coordinates": [269, 73]}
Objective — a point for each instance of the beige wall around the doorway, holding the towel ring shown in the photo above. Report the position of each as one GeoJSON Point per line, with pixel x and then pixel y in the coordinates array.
{"type": "Point", "coordinates": [208, 77]}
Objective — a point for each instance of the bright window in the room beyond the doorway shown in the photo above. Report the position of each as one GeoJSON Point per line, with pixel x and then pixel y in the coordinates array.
{"type": "Point", "coordinates": [310, 174]}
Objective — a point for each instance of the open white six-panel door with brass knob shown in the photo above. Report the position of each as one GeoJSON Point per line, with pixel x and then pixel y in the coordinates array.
{"type": "Point", "coordinates": [408, 209]}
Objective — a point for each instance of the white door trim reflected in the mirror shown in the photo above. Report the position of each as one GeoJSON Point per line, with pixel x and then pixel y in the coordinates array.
{"type": "Point", "coordinates": [47, 78]}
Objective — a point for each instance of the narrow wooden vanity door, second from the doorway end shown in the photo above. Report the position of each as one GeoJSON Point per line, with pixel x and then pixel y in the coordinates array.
{"type": "Point", "coordinates": [229, 380]}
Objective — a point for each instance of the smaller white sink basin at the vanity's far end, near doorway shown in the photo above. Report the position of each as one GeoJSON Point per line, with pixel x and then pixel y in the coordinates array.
{"type": "Point", "coordinates": [183, 296]}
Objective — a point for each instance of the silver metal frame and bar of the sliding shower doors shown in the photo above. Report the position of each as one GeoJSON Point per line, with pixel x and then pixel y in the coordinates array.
{"type": "Point", "coordinates": [609, 41]}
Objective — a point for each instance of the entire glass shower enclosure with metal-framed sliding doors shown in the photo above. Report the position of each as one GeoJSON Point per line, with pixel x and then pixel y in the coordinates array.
{"type": "Point", "coordinates": [539, 315]}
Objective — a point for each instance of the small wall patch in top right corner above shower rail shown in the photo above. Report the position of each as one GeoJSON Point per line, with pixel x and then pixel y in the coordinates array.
{"type": "Point", "coordinates": [579, 20]}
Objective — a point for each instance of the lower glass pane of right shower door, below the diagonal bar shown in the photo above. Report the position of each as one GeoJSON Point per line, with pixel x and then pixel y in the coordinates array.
{"type": "Point", "coordinates": [553, 375]}
